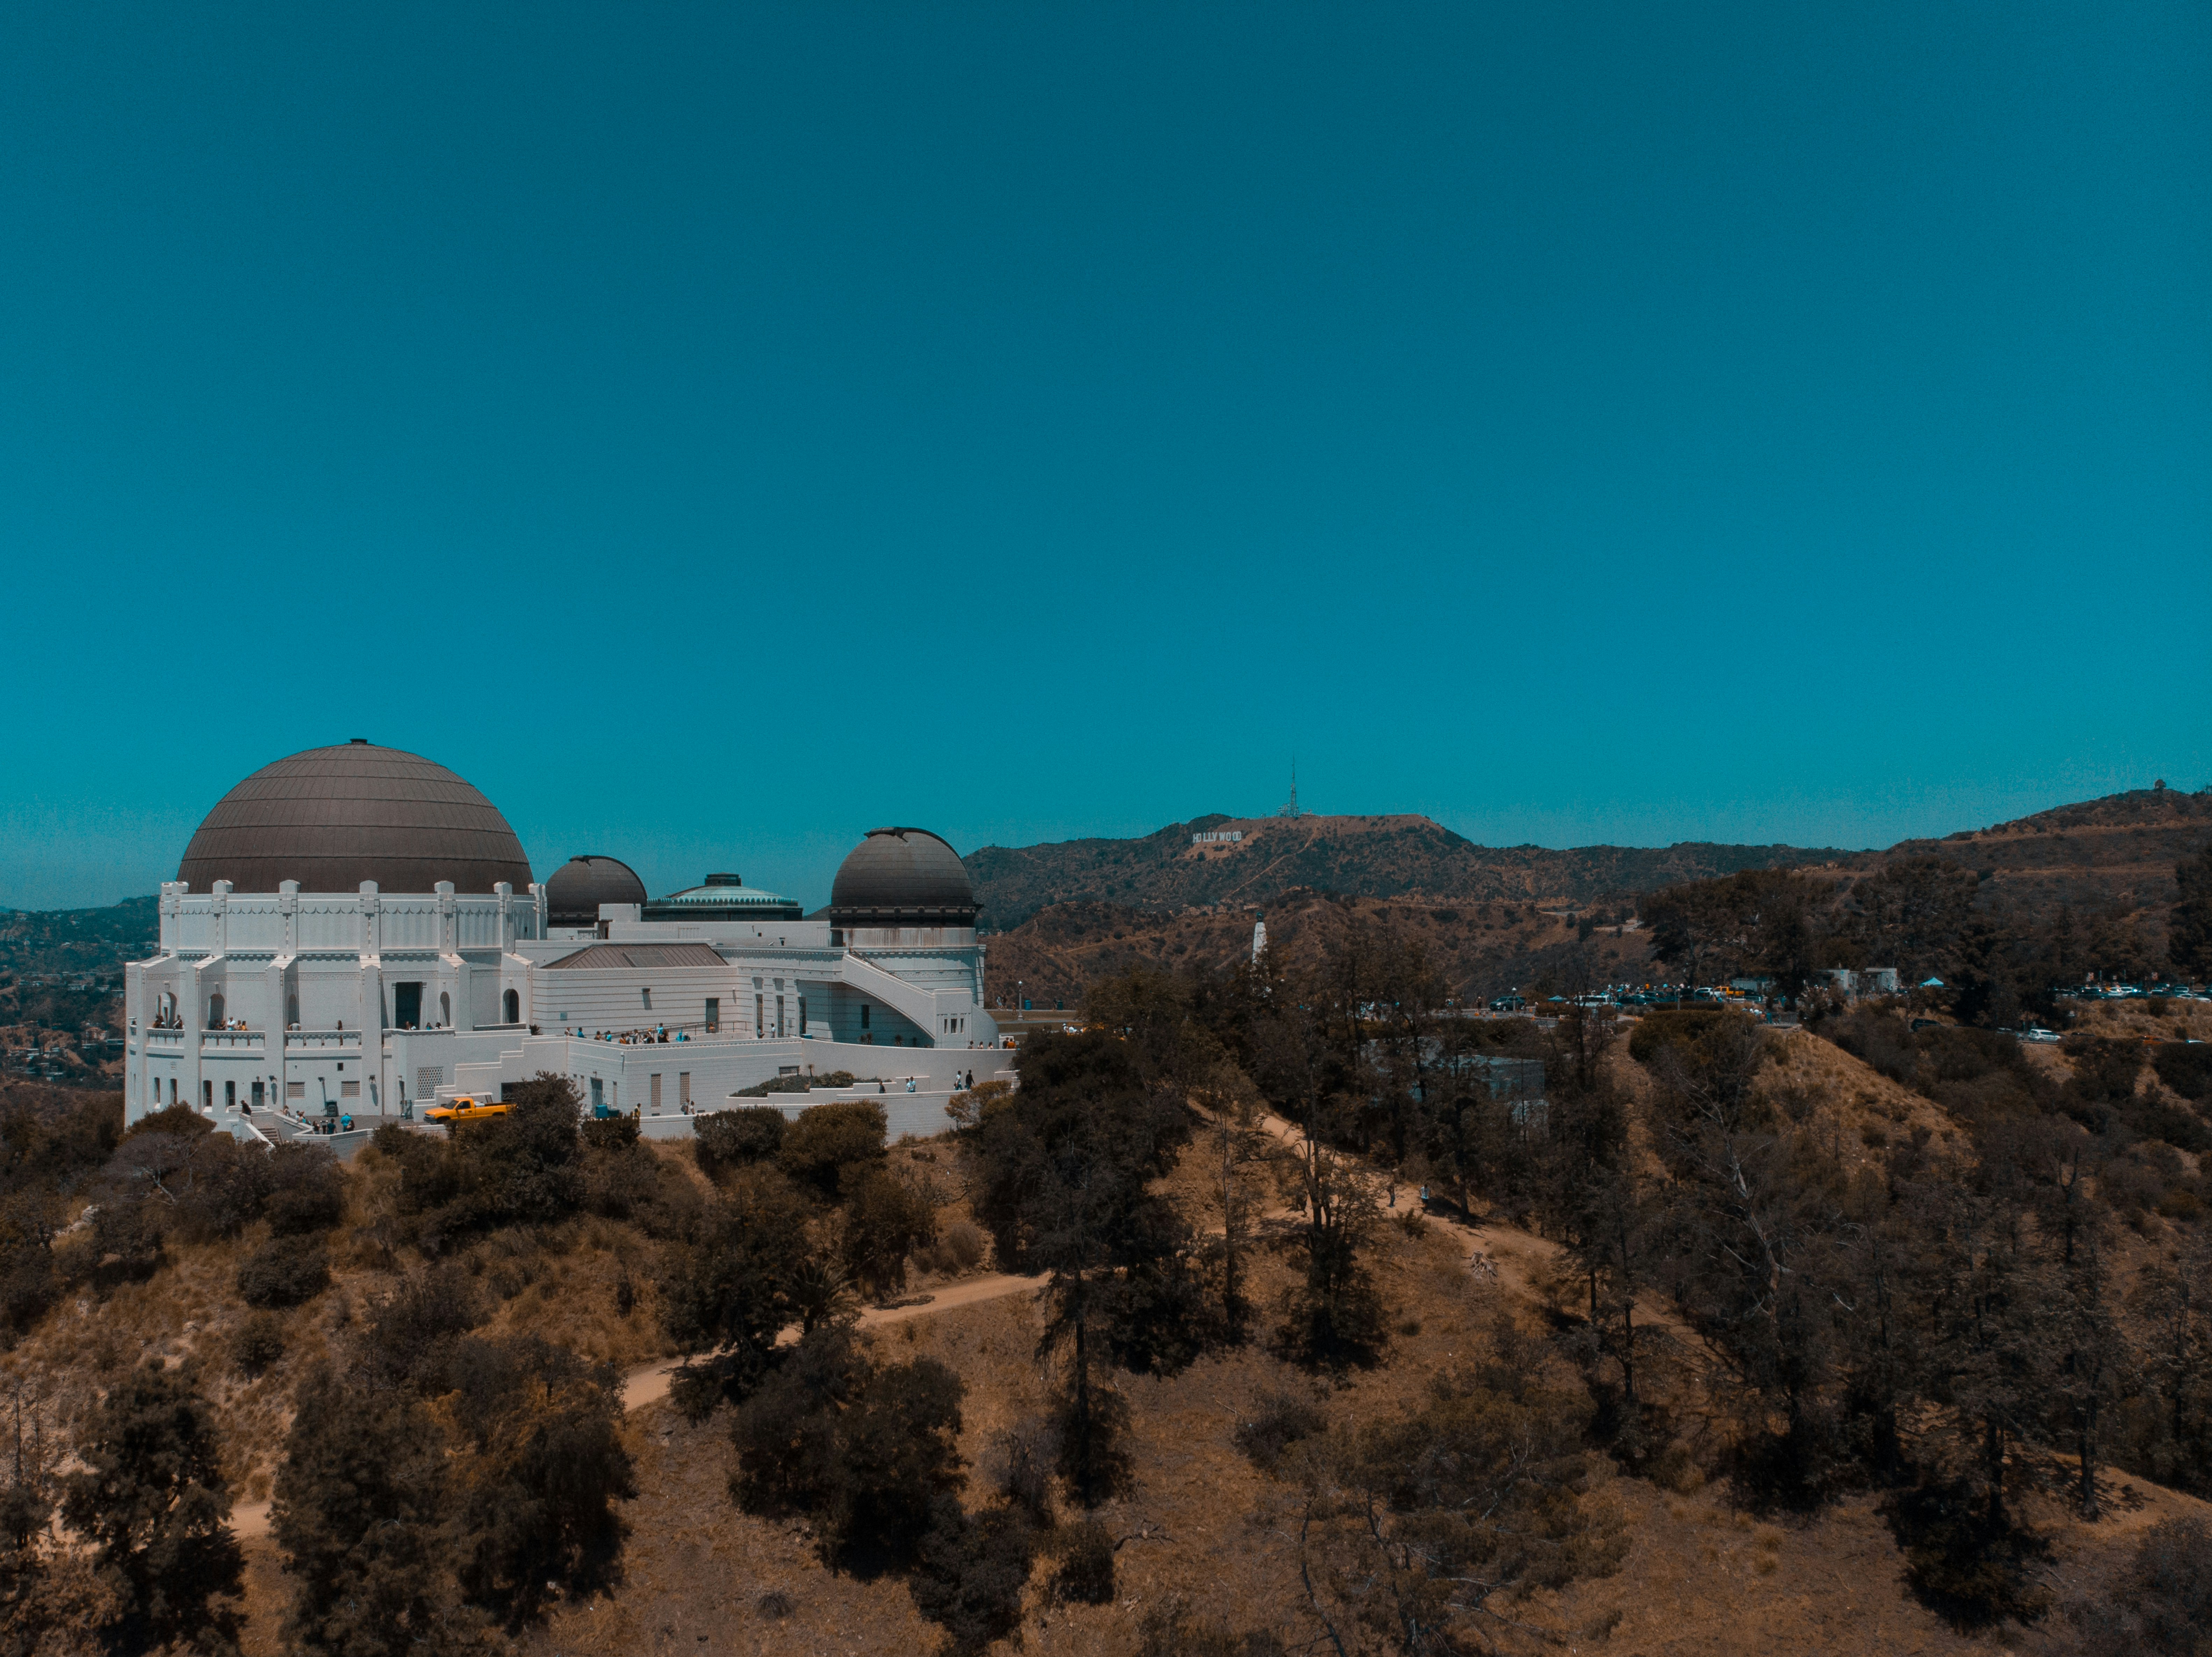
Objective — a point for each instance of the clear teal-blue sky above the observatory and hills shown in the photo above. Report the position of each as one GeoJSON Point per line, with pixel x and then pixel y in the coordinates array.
{"type": "Point", "coordinates": [716, 430]}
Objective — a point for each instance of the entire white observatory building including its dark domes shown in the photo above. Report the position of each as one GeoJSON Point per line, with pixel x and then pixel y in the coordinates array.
{"type": "Point", "coordinates": [357, 930]}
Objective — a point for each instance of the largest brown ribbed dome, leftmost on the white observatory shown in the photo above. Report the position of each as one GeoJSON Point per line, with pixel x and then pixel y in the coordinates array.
{"type": "Point", "coordinates": [335, 817]}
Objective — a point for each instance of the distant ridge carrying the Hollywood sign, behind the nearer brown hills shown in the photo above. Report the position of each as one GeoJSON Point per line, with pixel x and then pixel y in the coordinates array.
{"type": "Point", "coordinates": [1379, 857]}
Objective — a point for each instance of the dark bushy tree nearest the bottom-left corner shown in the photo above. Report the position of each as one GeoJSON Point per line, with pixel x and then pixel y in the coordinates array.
{"type": "Point", "coordinates": [154, 1508]}
